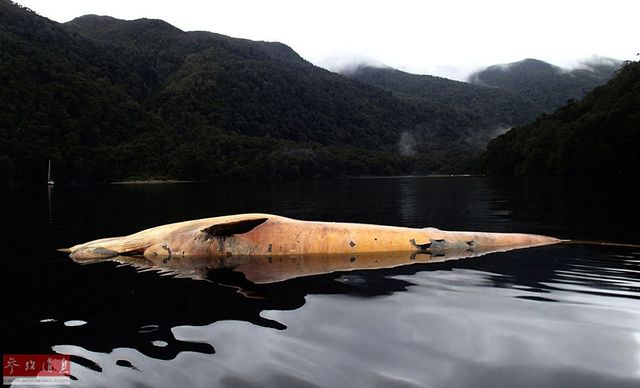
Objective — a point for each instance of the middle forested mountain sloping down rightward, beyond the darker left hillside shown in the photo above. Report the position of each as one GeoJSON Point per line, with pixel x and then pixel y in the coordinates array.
{"type": "Point", "coordinates": [259, 88]}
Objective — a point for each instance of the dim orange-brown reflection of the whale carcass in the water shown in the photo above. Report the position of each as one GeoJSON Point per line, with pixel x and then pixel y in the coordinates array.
{"type": "Point", "coordinates": [272, 269]}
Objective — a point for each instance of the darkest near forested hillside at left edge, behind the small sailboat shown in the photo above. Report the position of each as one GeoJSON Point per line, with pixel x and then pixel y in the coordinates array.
{"type": "Point", "coordinates": [64, 98]}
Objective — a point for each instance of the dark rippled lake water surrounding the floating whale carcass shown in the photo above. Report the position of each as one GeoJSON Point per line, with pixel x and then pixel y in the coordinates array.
{"type": "Point", "coordinates": [555, 316]}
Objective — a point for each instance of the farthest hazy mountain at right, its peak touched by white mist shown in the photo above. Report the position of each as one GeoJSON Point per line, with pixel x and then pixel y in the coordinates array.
{"type": "Point", "coordinates": [546, 85]}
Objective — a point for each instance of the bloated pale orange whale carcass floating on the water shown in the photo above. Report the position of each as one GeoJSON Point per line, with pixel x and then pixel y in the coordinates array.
{"type": "Point", "coordinates": [270, 235]}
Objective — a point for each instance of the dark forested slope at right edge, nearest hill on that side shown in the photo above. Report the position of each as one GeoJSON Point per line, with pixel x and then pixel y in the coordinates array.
{"type": "Point", "coordinates": [598, 135]}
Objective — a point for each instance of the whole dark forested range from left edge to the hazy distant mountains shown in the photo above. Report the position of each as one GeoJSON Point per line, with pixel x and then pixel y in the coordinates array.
{"type": "Point", "coordinates": [107, 99]}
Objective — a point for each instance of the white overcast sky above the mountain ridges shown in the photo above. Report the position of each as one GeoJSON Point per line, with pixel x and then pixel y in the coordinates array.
{"type": "Point", "coordinates": [447, 38]}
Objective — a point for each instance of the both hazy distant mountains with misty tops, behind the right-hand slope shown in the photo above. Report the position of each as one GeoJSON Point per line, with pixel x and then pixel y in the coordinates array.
{"type": "Point", "coordinates": [501, 95]}
